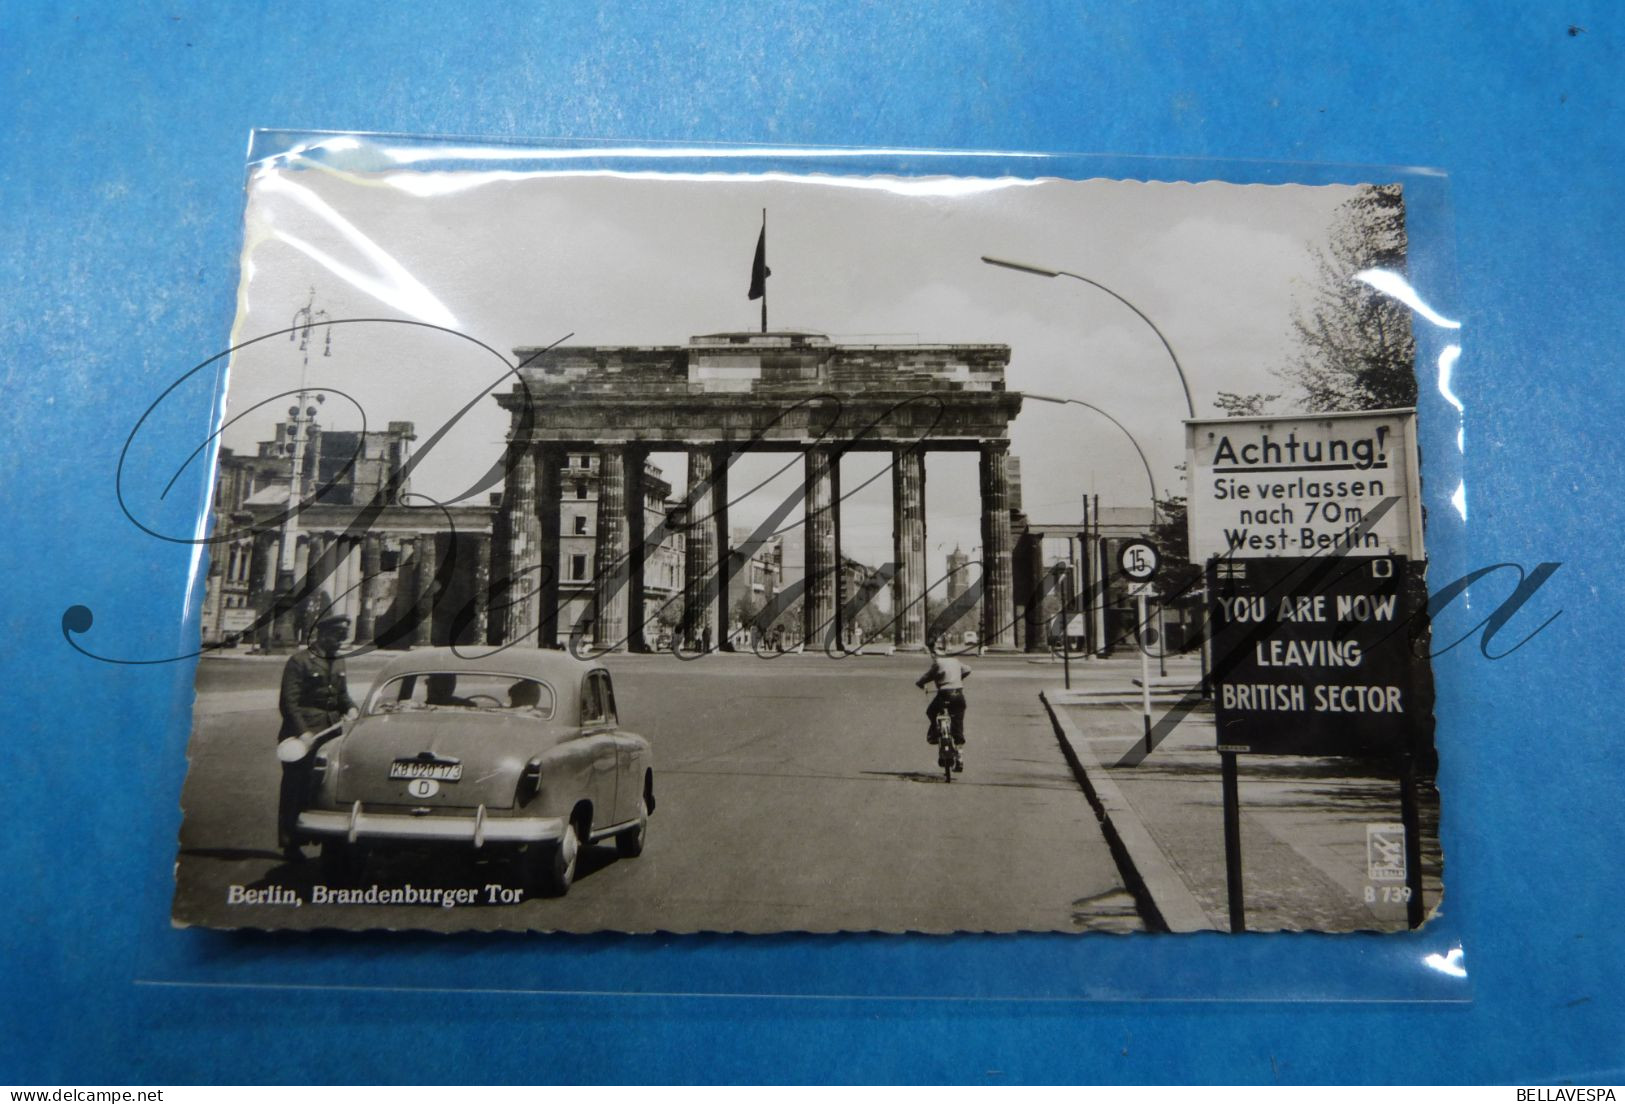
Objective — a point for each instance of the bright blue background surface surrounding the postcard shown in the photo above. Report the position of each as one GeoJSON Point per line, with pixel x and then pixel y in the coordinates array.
{"type": "Point", "coordinates": [121, 198]}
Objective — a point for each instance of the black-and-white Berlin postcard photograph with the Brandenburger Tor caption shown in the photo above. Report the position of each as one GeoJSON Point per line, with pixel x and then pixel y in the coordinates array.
{"type": "Point", "coordinates": [781, 552]}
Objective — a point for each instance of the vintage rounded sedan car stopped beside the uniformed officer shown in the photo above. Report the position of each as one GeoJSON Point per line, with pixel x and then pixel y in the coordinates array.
{"type": "Point", "coordinates": [519, 752]}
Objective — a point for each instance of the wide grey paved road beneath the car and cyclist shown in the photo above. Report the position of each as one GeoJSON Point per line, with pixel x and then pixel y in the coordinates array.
{"type": "Point", "coordinates": [795, 794]}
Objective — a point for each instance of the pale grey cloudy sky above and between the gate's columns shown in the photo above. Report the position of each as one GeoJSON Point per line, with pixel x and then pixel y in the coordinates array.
{"type": "Point", "coordinates": [524, 259]}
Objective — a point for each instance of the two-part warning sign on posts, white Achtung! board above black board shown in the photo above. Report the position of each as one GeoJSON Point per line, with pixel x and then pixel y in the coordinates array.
{"type": "Point", "coordinates": [1311, 531]}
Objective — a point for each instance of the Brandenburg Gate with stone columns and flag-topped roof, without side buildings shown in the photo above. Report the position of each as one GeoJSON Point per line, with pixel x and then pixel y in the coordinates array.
{"type": "Point", "coordinates": [726, 394]}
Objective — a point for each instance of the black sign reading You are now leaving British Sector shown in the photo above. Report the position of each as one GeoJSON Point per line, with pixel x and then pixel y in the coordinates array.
{"type": "Point", "coordinates": [1319, 656]}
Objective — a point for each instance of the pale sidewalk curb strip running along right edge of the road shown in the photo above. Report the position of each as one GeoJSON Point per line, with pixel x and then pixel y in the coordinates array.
{"type": "Point", "coordinates": [1164, 902]}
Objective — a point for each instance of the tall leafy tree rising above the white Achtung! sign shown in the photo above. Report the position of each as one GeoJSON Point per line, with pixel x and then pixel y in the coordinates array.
{"type": "Point", "coordinates": [1356, 350]}
